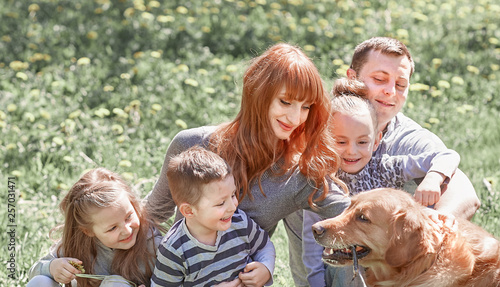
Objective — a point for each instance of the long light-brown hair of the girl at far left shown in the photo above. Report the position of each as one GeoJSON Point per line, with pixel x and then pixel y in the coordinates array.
{"type": "Point", "coordinates": [99, 188]}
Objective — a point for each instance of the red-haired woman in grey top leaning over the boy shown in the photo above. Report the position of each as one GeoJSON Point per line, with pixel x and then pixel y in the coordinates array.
{"type": "Point", "coordinates": [278, 146]}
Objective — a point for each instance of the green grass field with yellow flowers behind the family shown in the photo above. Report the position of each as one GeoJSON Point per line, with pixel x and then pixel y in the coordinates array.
{"type": "Point", "coordinates": [109, 83]}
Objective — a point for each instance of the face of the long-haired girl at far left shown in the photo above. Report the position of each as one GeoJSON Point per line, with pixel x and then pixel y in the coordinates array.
{"type": "Point", "coordinates": [116, 226]}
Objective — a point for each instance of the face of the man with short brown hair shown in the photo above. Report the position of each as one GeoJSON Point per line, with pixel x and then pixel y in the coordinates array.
{"type": "Point", "coordinates": [387, 78]}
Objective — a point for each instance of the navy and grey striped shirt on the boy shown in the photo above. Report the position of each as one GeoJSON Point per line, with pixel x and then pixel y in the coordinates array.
{"type": "Point", "coordinates": [183, 261]}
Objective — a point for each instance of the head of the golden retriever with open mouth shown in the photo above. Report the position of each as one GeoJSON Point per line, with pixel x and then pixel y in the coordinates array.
{"type": "Point", "coordinates": [385, 226]}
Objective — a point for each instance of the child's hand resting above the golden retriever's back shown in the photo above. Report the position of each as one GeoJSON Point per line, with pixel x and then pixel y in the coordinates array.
{"type": "Point", "coordinates": [428, 191]}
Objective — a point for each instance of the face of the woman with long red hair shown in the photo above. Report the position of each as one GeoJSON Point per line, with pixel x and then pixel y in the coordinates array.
{"type": "Point", "coordinates": [286, 115]}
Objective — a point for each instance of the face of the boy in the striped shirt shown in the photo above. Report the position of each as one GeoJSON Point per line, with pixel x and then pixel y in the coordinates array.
{"type": "Point", "coordinates": [216, 207]}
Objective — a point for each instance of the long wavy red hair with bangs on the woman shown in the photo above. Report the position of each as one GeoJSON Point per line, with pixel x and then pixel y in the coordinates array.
{"type": "Point", "coordinates": [248, 143]}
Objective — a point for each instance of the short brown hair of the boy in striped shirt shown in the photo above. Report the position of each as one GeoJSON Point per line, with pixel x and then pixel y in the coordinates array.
{"type": "Point", "coordinates": [190, 170]}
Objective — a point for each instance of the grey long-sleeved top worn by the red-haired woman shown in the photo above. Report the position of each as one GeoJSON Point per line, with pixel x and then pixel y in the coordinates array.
{"type": "Point", "coordinates": [284, 194]}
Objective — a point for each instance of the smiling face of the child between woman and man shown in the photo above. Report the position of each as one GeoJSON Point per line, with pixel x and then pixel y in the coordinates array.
{"type": "Point", "coordinates": [355, 140]}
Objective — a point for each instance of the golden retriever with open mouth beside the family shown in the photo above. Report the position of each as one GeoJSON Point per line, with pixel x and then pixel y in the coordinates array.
{"type": "Point", "coordinates": [399, 245]}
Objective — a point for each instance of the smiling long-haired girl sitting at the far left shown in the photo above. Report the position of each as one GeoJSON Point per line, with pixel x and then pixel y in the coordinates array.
{"type": "Point", "coordinates": [106, 230]}
